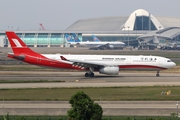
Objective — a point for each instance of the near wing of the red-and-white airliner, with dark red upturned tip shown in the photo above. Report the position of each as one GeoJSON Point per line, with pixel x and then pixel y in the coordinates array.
{"type": "Point", "coordinates": [83, 63]}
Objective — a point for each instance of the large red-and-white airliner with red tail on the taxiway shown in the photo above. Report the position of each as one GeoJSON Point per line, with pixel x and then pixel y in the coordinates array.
{"type": "Point", "coordinates": [104, 64]}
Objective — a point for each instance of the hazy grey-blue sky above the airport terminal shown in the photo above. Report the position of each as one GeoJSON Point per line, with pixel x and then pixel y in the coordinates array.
{"type": "Point", "coordinates": [60, 14]}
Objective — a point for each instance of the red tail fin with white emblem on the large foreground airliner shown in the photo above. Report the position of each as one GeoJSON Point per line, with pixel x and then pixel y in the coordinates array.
{"type": "Point", "coordinates": [17, 45]}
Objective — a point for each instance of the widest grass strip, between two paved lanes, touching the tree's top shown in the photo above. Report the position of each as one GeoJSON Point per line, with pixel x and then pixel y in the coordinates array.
{"type": "Point", "coordinates": [99, 94]}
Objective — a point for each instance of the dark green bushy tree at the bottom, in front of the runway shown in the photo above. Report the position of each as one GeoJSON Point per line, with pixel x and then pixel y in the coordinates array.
{"type": "Point", "coordinates": [83, 108]}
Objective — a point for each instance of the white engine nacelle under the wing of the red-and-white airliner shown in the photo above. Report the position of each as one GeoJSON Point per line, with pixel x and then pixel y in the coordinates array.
{"type": "Point", "coordinates": [109, 70]}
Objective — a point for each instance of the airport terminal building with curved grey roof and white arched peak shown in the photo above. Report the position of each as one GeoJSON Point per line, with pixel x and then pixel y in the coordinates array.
{"type": "Point", "coordinates": [139, 29]}
